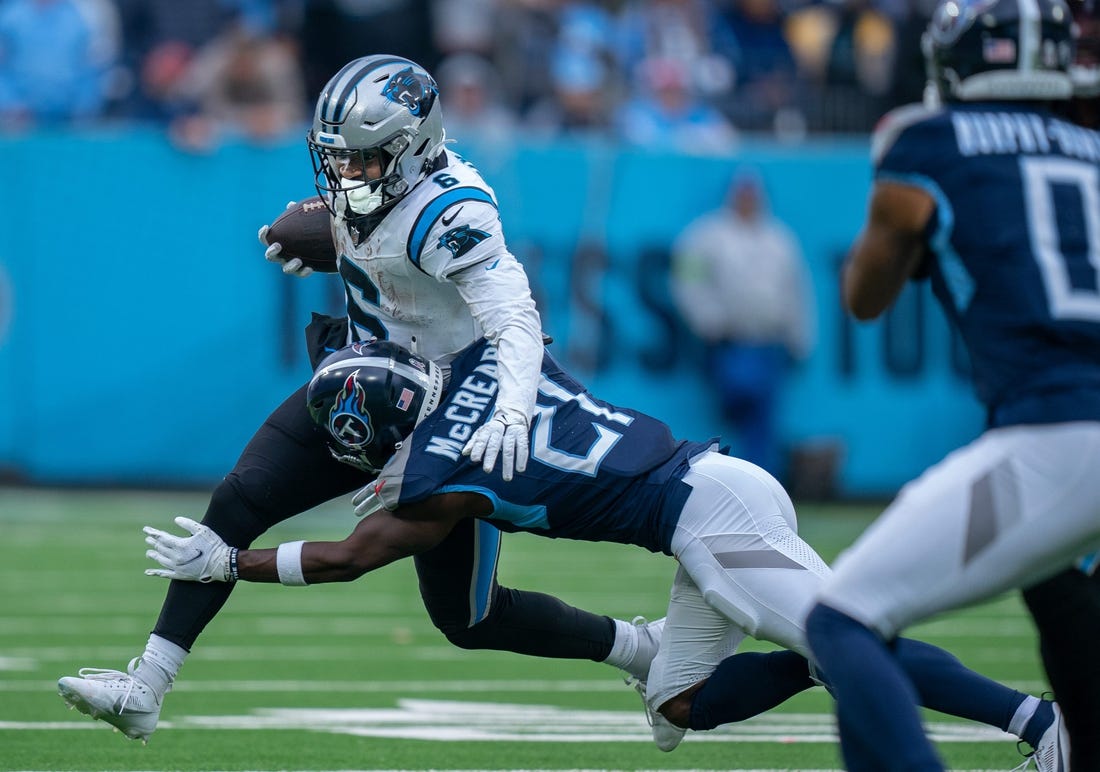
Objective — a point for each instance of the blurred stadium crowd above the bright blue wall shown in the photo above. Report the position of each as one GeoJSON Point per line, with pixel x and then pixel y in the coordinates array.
{"type": "Point", "coordinates": [688, 75]}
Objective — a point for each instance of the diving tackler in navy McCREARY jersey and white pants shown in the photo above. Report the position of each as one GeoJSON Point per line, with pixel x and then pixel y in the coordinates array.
{"type": "Point", "coordinates": [597, 472]}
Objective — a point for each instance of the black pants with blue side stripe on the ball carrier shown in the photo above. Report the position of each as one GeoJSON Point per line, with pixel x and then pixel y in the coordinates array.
{"type": "Point", "coordinates": [287, 469]}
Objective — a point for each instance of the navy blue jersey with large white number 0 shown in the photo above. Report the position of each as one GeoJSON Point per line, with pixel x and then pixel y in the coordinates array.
{"type": "Point", "coordinates": [1015, 255]}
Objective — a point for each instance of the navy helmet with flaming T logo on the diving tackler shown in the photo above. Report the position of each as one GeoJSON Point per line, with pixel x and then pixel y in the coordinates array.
{"type": "Point", "coordinates": [369, 398]}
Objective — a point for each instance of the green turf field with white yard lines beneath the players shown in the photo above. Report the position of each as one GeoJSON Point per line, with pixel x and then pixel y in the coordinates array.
{"type": "Point", "coordinates": [355, 677]}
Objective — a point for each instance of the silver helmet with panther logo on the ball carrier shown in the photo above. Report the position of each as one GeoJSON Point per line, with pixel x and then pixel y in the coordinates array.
{"type": "Point", "coordinates": [378, 109]}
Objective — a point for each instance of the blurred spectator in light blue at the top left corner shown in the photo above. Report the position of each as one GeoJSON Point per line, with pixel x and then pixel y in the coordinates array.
{"type": "Point", "coordinates": [57, 60]}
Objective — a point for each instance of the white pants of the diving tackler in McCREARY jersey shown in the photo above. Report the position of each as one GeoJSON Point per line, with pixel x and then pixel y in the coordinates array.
{"type": "Point", "coordinates": [744, 571]}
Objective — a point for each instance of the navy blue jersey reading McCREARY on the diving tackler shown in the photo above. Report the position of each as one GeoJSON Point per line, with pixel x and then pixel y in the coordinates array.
{"type": "Point", "coordinates": [597, 472]}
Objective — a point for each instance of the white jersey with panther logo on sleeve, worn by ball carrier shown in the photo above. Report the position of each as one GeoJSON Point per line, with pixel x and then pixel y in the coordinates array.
{"type": "Point", "coordinates": [436, 275]}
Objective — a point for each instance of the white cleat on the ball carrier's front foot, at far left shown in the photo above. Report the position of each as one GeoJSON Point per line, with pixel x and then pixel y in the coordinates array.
{"type": "Point", "coordinates": [125, 702]}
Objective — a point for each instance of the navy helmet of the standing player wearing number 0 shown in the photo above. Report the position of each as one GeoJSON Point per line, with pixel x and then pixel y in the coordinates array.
{"type": "Point", "coordinates": [1000, 50]}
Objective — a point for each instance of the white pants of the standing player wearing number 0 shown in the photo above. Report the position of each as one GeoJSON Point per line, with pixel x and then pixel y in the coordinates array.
{"type": "Point", "coordinates": [1017, 505]}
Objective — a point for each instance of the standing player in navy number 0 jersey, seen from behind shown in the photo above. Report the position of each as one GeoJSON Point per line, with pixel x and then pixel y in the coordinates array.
{"type": "Point", "coordinates": [997, 198]}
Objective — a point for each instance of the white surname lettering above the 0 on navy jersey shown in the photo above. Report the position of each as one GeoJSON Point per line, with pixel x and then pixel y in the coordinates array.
{"type": "Point", "coordinates": [992, 134]}
